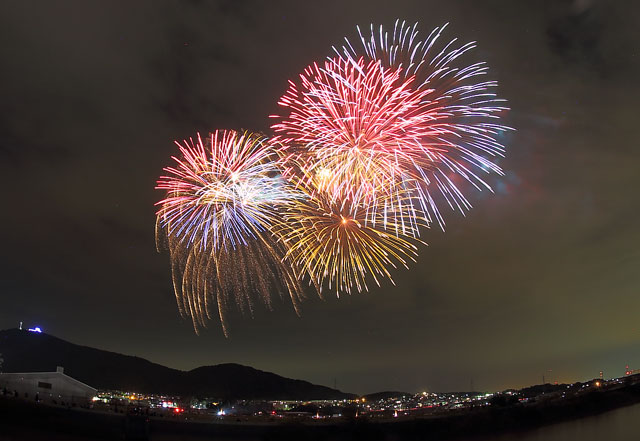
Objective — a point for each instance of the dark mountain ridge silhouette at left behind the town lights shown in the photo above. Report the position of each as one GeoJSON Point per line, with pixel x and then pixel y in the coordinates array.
{"type": "Point", "coordinates": [25, 351]}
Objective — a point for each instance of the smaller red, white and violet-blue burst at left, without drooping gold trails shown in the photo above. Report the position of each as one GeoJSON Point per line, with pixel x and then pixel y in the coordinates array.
{"type": "Point", "coordinates": [219, 197]}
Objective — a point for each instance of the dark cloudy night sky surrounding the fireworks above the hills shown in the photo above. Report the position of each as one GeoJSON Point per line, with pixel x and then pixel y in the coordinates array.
{"type": "Point", "coordinates": [542, 275]}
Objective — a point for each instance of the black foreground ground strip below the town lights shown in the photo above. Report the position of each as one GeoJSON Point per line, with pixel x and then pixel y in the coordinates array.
{"type": "Point", "coordinates": [25, 421]}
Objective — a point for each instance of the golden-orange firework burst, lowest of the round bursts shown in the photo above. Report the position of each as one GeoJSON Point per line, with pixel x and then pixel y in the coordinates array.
{"type": "Point", "coordinates": [340, 243]}
